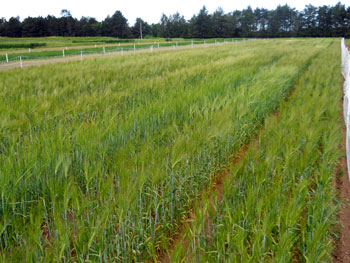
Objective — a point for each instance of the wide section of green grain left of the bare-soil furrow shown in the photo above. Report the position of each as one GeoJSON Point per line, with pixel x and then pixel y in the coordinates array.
{"type": "Point", "coordinates": [101, 159]}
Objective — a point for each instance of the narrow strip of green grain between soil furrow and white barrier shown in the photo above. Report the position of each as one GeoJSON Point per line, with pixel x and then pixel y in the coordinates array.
{"type": "Point", "coordinates": [278, 203]}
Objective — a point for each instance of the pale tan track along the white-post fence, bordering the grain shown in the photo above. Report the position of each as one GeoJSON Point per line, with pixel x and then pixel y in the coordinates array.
{"type": "Point", "coordinates": [21, 62]}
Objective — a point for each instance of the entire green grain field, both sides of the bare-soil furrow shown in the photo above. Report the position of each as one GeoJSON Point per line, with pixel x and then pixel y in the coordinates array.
{"type": "Point", "coordinates": [105, 160]}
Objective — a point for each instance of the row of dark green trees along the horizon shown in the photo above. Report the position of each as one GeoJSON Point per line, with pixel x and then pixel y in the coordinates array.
{"type": "Point", "coordinates": [284, 21]}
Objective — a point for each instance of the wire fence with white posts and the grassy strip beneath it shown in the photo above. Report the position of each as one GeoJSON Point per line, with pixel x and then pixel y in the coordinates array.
{"type": "Point", "coordinates": [8, 60]}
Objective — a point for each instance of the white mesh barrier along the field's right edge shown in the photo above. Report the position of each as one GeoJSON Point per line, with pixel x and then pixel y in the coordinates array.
{"type": "Point", "coordinates": [345, 63]}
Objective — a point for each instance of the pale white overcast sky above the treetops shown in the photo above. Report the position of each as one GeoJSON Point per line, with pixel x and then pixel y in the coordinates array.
{"type": "Point", "coordinates": [148, 10]}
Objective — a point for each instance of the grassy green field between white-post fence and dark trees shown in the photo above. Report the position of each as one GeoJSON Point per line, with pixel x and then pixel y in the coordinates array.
{"type": "Point", "coordinates": [52, 47]}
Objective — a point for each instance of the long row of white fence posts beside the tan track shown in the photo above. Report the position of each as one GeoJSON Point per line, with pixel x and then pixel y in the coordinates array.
{"type": "Point", "coordinates": [103, 51]}
